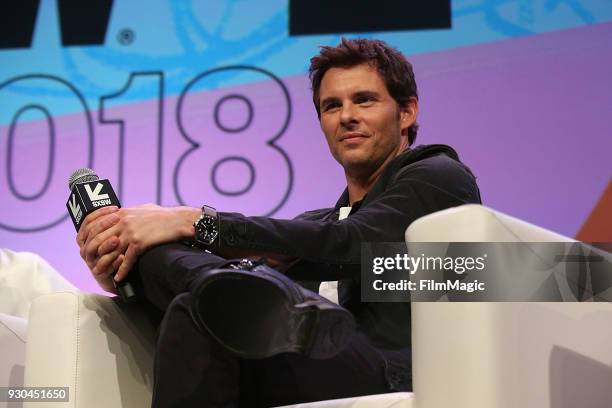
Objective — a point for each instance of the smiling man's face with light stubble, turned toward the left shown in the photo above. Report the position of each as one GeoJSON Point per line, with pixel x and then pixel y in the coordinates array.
{"type": "Point", "coordinates": [364, 126]}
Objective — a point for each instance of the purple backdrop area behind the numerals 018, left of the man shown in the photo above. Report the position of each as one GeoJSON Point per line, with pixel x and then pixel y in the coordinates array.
{"type": "Point", "coordinates": [259, 153]}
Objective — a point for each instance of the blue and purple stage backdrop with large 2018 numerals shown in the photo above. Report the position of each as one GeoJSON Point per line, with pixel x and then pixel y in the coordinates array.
{"type": "Point", "coordinates": [192, 102]}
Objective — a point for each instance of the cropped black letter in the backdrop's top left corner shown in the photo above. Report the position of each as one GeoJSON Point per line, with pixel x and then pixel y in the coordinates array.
{"type": "Point", "coordinates": [81, 22]}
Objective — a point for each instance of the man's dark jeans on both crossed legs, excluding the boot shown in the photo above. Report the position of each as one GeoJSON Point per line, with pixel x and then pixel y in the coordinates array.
{"type": "Point", "coordinates": [193, 370]}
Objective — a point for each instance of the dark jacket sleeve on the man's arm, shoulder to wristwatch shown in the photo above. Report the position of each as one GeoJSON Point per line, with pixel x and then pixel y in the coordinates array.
{"type": "Point", "coordinates": [415, 191]}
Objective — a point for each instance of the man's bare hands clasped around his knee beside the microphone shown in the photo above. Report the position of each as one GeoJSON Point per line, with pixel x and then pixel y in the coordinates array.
{"type": "Point", "coordinates": [111, 239]}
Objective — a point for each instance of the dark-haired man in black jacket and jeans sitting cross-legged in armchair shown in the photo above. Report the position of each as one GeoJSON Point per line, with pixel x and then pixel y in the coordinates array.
{"type": "Point", "coordinates": [366, 99]}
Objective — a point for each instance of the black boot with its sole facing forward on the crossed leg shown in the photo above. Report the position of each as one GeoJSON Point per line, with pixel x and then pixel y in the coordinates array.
{"type": "Point", "coordinates": [257, 312]}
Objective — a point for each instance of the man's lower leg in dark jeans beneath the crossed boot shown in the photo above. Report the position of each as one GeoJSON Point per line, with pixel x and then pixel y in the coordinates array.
{"type": "Point", "coordinates": [192, 369]}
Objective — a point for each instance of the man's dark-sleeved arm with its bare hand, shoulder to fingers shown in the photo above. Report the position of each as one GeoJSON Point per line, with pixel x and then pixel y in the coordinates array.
{"type": "Point", "coordinates": [415, 191]}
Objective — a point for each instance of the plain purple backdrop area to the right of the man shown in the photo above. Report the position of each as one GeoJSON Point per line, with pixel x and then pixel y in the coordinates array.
{"type": "Point", "coordinates": [531, 116]}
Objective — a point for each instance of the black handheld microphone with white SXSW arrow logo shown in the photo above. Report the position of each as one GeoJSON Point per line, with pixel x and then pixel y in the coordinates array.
{"type": "Point", "coordinates": [87, 194]}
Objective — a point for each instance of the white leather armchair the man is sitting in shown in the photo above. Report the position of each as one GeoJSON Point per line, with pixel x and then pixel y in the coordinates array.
{"type": "Point", "coordinates": [465, 354]}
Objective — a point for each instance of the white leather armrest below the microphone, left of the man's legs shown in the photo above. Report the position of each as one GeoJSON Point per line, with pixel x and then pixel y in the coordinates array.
{"type": "Point", "coordinates": [99, 347]}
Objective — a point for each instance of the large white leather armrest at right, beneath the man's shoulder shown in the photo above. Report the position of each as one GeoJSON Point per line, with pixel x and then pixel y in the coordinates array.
{"type": "Point", "coordinates": [506, 355]}
